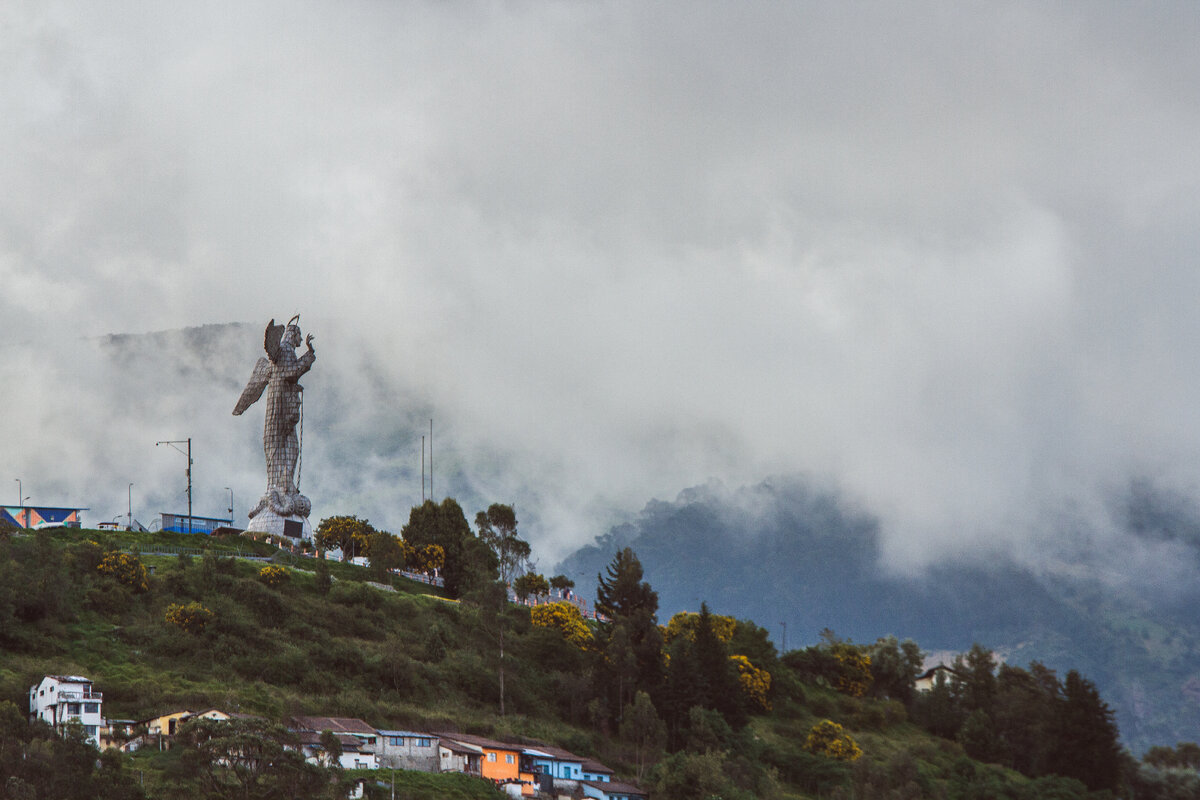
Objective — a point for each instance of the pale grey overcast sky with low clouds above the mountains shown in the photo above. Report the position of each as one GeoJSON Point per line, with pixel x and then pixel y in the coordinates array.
{"type": "Point", "coordinates": [943, 256]}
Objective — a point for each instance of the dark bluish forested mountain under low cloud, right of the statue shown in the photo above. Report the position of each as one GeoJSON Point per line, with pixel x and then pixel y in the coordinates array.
{"type": "Point", "coordinates": [787, 552]}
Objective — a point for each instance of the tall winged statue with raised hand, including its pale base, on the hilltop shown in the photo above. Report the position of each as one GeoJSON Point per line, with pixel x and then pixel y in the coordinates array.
{"type": "Point", "coordinates": [279, 374]}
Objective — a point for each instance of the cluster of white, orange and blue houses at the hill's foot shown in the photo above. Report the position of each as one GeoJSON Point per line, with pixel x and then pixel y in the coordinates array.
{"type": "Point", "coordinates": [521, 771]}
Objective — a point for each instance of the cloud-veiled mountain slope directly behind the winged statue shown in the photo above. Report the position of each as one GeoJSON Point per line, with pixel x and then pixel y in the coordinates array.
{"type": "Point", "coordinates": [362, 430]}
